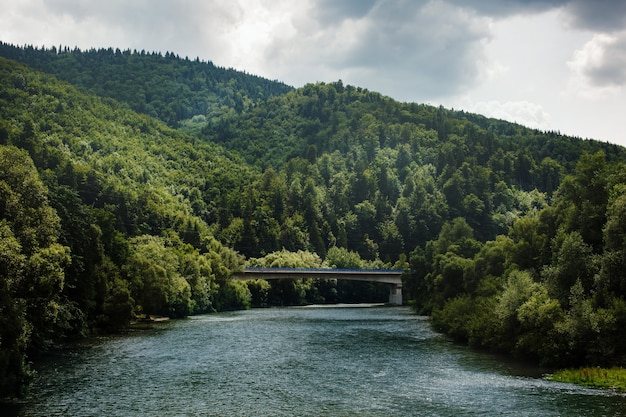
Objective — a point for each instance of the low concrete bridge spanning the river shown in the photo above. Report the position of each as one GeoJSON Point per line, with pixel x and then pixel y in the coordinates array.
{"type": "Point", "coordinates": [387, 276]}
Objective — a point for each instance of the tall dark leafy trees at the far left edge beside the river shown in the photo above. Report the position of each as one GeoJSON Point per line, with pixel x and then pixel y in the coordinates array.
{"type": "Point", "coordinates": [32, 266]}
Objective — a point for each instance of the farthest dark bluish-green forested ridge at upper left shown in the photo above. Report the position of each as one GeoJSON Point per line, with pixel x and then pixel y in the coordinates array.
{"type": "Point", "coordinates": [166, 87]}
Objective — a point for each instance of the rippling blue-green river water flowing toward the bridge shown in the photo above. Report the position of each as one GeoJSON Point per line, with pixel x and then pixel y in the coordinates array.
{"type": "Point", "coordinates": [331, 361]}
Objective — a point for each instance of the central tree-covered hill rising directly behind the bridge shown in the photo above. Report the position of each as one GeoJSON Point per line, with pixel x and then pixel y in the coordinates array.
{"type": "Point", "coordinates": [358, 170]}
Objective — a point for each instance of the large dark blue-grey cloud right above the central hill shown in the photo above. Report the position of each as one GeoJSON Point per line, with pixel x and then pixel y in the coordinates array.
{"type": "Point", "coordinates": [435, 46]}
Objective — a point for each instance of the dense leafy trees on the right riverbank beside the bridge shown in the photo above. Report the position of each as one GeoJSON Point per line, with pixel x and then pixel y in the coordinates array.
{"type": "Point", "coordinates": [552, 289]}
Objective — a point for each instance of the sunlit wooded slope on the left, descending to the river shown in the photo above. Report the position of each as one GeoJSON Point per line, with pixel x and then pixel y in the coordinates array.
{"type": "Point", "coordinates": [101, 216]}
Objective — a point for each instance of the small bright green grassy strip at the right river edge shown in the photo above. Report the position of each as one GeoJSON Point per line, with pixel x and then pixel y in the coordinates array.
{"type": "Point", "coordinates": [613, 378]}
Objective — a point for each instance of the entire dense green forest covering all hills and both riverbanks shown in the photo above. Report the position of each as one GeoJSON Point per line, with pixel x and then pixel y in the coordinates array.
{"type": "Point", "coordinates": [135, 183]}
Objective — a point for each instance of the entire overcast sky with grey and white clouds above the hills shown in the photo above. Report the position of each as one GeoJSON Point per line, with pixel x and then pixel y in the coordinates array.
{"type": "Point", "coordinates": [550, 64]}
